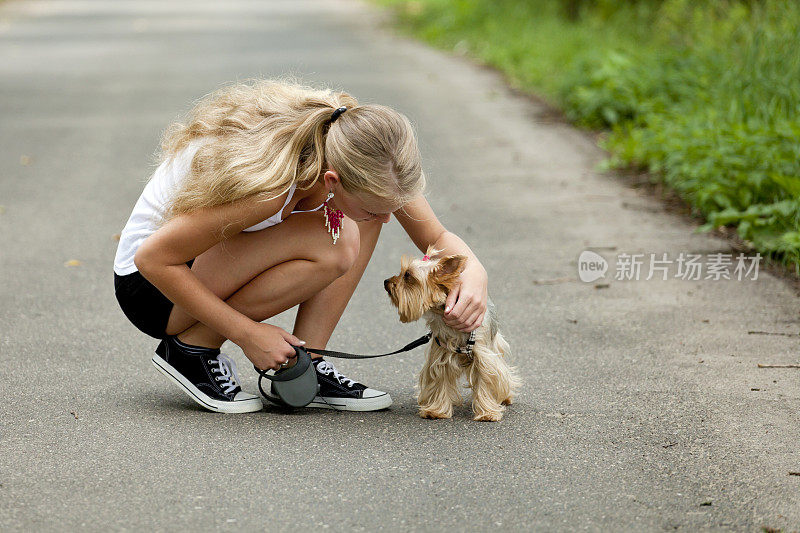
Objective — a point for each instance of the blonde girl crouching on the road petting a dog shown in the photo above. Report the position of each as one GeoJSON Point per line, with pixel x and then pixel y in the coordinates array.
{"type": "Point", "coordinates": [273, 194]}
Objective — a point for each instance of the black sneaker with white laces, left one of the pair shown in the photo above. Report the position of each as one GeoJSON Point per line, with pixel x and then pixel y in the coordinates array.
{"type": "Point", "coordinates": [207, 376]}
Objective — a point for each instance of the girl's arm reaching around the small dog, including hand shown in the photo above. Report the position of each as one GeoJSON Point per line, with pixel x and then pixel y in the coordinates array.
{"type": "Point", "coordinates": [466, 304]}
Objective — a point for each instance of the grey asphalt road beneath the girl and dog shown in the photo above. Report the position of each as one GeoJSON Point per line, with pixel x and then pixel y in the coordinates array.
{"type": "Point", "coordinates": [643, 407]}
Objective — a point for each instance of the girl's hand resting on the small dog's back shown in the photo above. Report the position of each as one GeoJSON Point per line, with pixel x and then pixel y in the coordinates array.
{"type": "Point", "coordinates": [466, 304]}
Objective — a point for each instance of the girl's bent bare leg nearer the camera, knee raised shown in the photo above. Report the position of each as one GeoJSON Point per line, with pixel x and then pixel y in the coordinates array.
{"type": "Point", "coordinates": [263, 273]}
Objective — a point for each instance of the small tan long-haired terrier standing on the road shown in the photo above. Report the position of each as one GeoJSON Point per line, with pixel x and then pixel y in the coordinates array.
{"type": "Point", "coordinates": [420, 290]}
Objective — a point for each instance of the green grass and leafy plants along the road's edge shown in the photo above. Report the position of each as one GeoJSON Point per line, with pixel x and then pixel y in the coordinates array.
{"type": "Point", "coordinates": [702, 95]}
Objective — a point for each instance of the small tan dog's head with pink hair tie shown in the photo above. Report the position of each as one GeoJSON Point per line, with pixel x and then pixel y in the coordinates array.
{"type": "Point", "coordinates": [423, 284]}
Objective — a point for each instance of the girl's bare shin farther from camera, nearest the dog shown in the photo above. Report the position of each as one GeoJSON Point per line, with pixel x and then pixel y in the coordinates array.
{"type": "Point", "coordinates": [318, 315]}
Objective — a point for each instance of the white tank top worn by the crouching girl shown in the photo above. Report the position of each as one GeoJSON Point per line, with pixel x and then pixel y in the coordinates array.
{"type": "Point", "coordinates": [150, 207]}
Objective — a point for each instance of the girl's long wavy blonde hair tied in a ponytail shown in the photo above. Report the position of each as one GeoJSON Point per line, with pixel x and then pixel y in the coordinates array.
{"type": "Point", "coordinates": [267, 134]}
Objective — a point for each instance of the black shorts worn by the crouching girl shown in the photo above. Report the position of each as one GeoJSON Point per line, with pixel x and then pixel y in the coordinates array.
{"type": "Point", "coordinates": [144, 305]}
